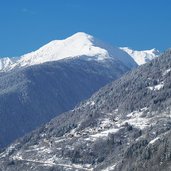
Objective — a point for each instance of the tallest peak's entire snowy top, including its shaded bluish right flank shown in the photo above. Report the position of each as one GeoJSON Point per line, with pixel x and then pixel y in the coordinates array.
{"type": "Point", "coordinates": [79, 44]}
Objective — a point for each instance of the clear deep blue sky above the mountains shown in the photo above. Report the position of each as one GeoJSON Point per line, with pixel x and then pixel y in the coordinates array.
{"type": "Point", "coordinates": [25, 25]}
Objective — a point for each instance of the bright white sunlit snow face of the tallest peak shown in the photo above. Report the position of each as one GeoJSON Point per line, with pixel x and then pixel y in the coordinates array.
{"type": "Point", "coordinates": [77, 45]}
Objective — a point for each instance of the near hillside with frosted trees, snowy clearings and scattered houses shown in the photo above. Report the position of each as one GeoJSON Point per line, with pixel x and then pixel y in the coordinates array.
{"type": "Point", "coordinates": [124, 126]}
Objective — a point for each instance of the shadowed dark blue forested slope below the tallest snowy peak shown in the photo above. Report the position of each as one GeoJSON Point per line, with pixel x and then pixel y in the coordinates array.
{"type": "Point", "coordinates": [34, 95]}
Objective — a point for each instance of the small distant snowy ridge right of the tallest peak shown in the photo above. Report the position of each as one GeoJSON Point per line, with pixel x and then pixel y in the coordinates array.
{"type": "Point", "coordinates": [141, 57]}
